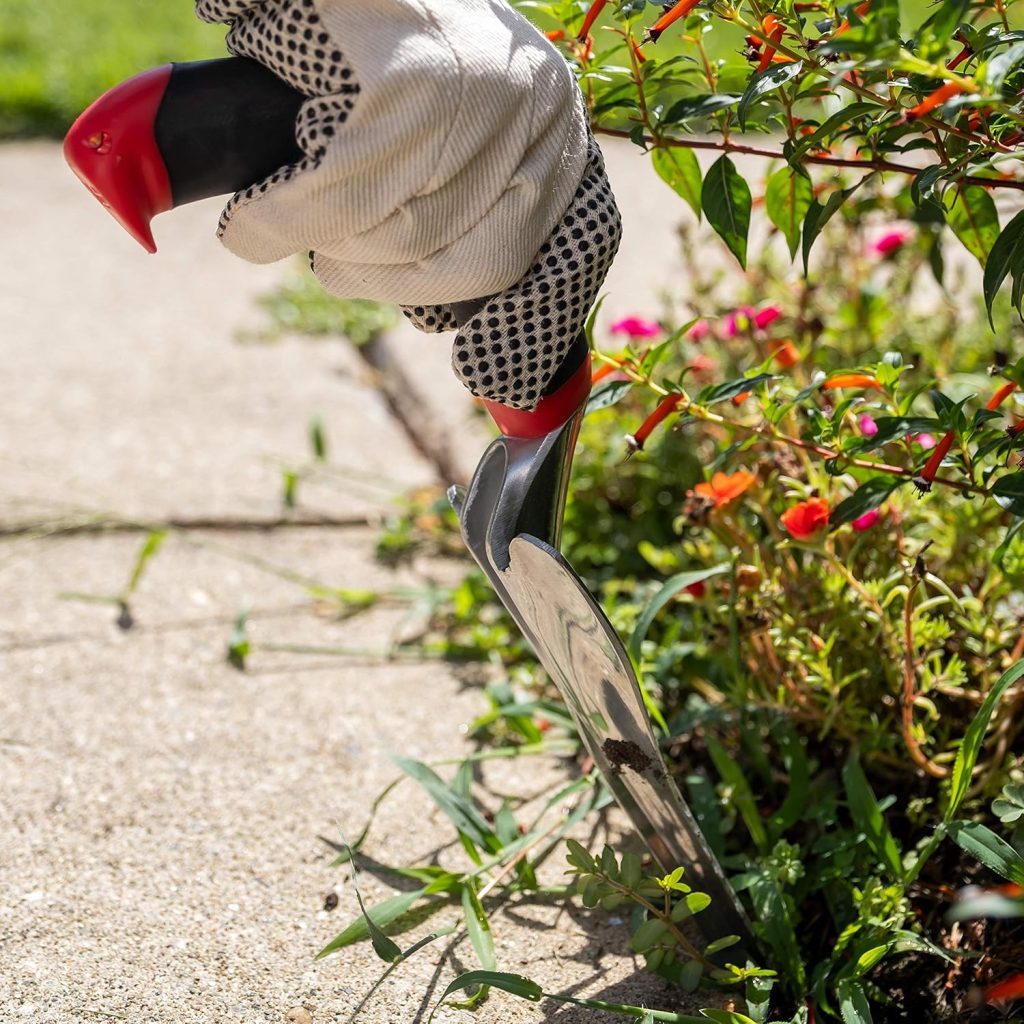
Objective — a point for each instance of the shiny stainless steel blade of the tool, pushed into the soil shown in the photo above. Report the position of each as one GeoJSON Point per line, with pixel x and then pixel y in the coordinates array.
{"type": "Point", "coordinates": [511, 519]}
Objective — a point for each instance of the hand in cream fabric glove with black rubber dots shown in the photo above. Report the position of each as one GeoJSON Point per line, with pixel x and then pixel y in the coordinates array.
{"type": "Point", "coordinates": [448, 159]}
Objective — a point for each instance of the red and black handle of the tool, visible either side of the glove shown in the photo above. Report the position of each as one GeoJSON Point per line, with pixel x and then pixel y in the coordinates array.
{"type": "Point", "coordinates": [190, 132]}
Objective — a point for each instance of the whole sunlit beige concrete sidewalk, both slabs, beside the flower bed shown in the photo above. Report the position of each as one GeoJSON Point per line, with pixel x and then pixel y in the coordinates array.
{"type": "Point", "coordinates": [160, 814]}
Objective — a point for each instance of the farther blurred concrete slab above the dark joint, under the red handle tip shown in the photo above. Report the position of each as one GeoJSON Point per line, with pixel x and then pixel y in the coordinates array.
{"type": "Point", "coordinates": [123, 387]}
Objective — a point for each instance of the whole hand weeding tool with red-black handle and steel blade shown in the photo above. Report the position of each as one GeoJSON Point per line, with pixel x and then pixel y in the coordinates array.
{"type": "Point", "coordinates": [185, 133]}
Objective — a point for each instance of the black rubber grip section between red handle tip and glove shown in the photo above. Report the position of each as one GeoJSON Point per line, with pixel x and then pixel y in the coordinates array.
{"type": "Point", "coordinates": [225, 125]}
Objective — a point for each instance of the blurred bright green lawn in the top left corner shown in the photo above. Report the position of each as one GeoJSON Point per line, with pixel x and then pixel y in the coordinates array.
{"type": "Point", "coordinates": [58, 56]}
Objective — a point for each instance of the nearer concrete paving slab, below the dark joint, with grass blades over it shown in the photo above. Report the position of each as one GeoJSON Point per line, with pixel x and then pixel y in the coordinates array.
{"type": "Point", "coordinates": [160, 815]}
